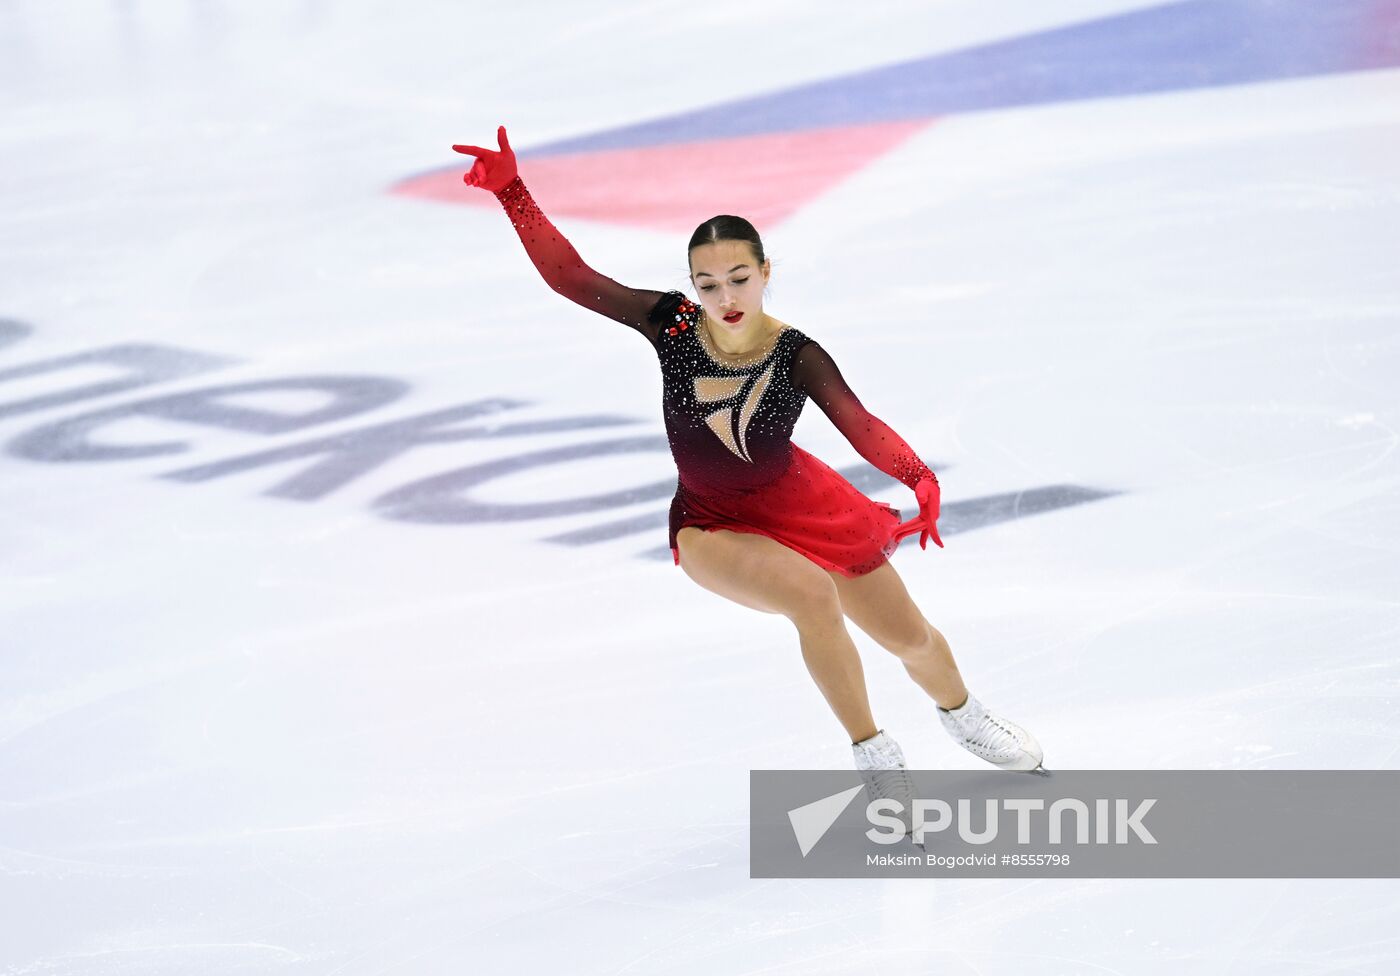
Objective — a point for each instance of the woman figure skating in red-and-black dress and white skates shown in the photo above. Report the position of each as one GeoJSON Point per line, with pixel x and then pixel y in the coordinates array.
{"type": "Point", "coordinates": [757, 519]}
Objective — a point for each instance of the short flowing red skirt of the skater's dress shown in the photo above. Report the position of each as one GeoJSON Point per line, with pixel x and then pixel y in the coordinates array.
{"type": "Point", "coordinates": [810, 509]}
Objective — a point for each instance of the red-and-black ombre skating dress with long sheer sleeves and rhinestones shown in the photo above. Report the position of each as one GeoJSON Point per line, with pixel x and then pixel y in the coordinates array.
{"type": "Point", "coordinates": [730, 424]}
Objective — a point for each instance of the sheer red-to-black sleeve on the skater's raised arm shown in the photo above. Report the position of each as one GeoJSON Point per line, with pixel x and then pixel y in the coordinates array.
{"type": "Point", "coordinates": [566, 272]}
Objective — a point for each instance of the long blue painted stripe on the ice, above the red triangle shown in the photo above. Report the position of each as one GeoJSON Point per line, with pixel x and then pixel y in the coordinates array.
{"type": "Point", "coordinates": [1172, 48]}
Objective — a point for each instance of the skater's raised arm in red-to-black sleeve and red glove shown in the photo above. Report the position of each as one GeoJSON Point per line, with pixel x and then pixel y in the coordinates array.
{"type": "Point", "coordinates": [555, 258]}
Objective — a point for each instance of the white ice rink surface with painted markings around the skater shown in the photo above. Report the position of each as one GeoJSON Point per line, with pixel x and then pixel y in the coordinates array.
{"type": "Point", "coordinates": [339, 629]}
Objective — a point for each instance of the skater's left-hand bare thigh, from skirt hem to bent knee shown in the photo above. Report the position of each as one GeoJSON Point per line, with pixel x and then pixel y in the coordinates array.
{"type": "Point", "coordinates": [757, 572]}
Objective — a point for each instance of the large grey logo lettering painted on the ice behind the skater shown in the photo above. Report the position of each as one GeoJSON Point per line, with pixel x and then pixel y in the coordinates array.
{"type": "Point", "coordinates": [309, 468]}
